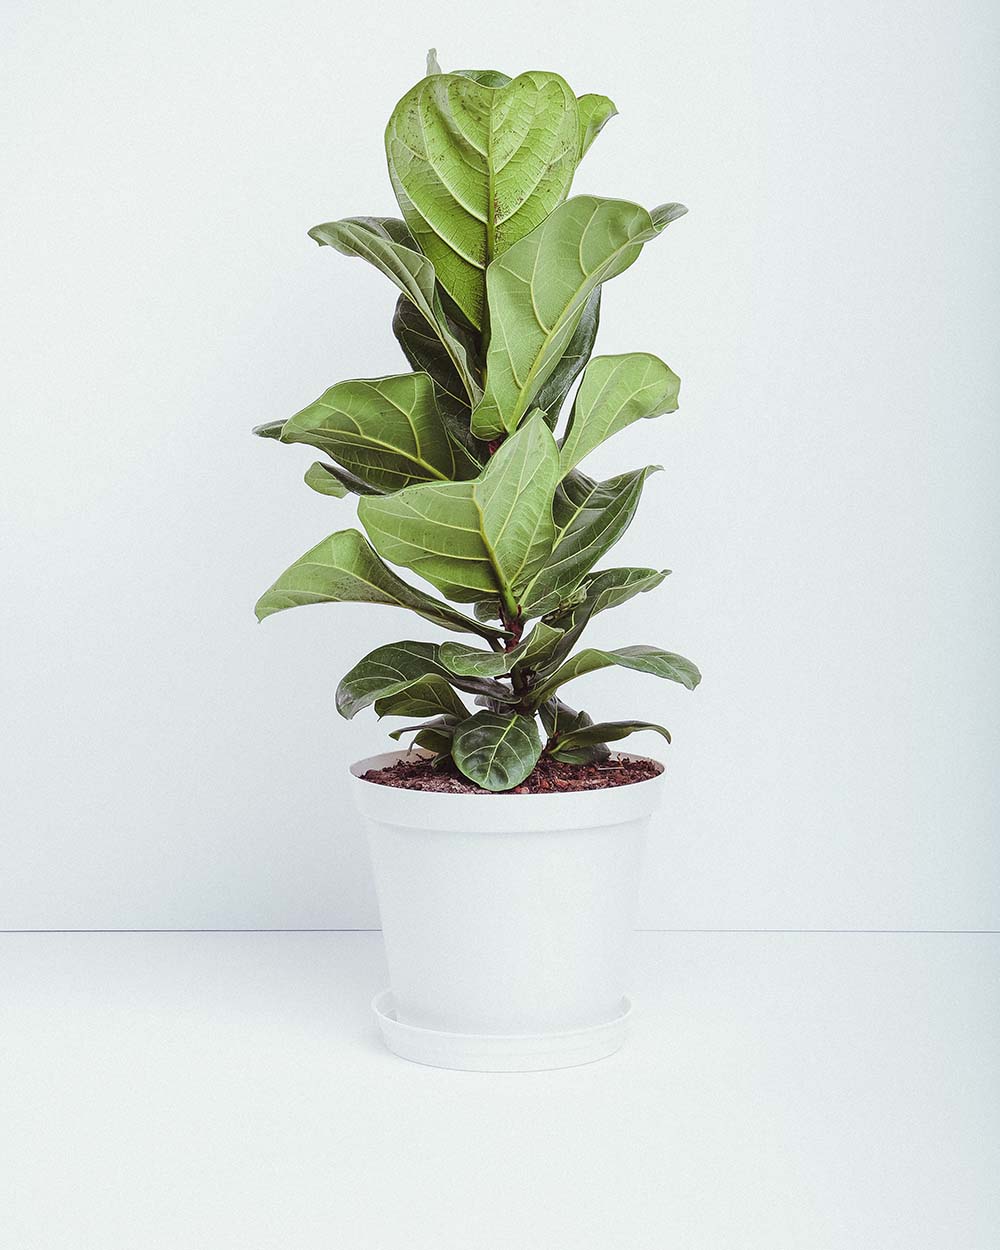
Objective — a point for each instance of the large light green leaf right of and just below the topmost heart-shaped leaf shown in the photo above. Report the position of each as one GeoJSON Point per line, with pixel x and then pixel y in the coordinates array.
{"type": "Point", "coordinates": [537, 294]}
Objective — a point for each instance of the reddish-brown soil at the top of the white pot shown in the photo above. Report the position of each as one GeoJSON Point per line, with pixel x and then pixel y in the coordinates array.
{"type": "Point", "coordinates": [549, 777]}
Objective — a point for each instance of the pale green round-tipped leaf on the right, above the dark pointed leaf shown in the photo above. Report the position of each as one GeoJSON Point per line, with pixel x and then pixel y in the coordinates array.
{"type": "Point", "coordinates": [616, 392]}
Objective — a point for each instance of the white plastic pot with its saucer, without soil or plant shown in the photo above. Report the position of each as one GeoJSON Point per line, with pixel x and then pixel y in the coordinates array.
{"type": "Point", "coordinates": [508, 921]}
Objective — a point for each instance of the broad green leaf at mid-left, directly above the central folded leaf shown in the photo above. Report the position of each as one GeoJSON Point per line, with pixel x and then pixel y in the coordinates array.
{"type": "Point", "coordinates": [384, 431]}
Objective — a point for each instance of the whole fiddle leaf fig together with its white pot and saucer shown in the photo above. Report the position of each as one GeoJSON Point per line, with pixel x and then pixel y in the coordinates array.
{"type": "Point", "coordinates": [506, 844]}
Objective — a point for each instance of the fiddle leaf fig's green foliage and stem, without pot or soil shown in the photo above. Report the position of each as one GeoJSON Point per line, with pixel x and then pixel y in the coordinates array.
{"type": "Point", "coordinates": [462, 472]}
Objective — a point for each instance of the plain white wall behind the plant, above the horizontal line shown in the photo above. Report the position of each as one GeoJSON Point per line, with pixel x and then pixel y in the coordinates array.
{"type": "Point", "coordinates": [829, 503]}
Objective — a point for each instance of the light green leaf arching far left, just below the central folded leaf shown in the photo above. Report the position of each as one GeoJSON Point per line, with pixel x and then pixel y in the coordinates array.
{"type": "Point", "coordinates": [344, 569]}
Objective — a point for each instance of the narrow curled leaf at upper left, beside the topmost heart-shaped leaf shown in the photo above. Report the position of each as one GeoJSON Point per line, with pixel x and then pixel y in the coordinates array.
{"type": "Point", "coordinates": [388, 246]}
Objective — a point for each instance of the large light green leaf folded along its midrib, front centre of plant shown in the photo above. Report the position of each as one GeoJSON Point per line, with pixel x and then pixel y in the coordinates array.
{"type": "Point", "coordinates": [476, 539]}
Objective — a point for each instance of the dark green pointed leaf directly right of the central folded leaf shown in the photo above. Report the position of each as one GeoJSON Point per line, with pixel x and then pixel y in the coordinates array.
{"type": "Point", "coordinates": [591, 517]}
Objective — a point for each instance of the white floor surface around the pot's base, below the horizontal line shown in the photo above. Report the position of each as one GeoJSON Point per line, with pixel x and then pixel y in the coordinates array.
{"type": "Point", "coordinates": [216, 1091]}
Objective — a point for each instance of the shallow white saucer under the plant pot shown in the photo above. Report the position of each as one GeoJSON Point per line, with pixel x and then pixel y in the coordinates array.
{"type": "Point", "coordinates": [497, 1053]}
